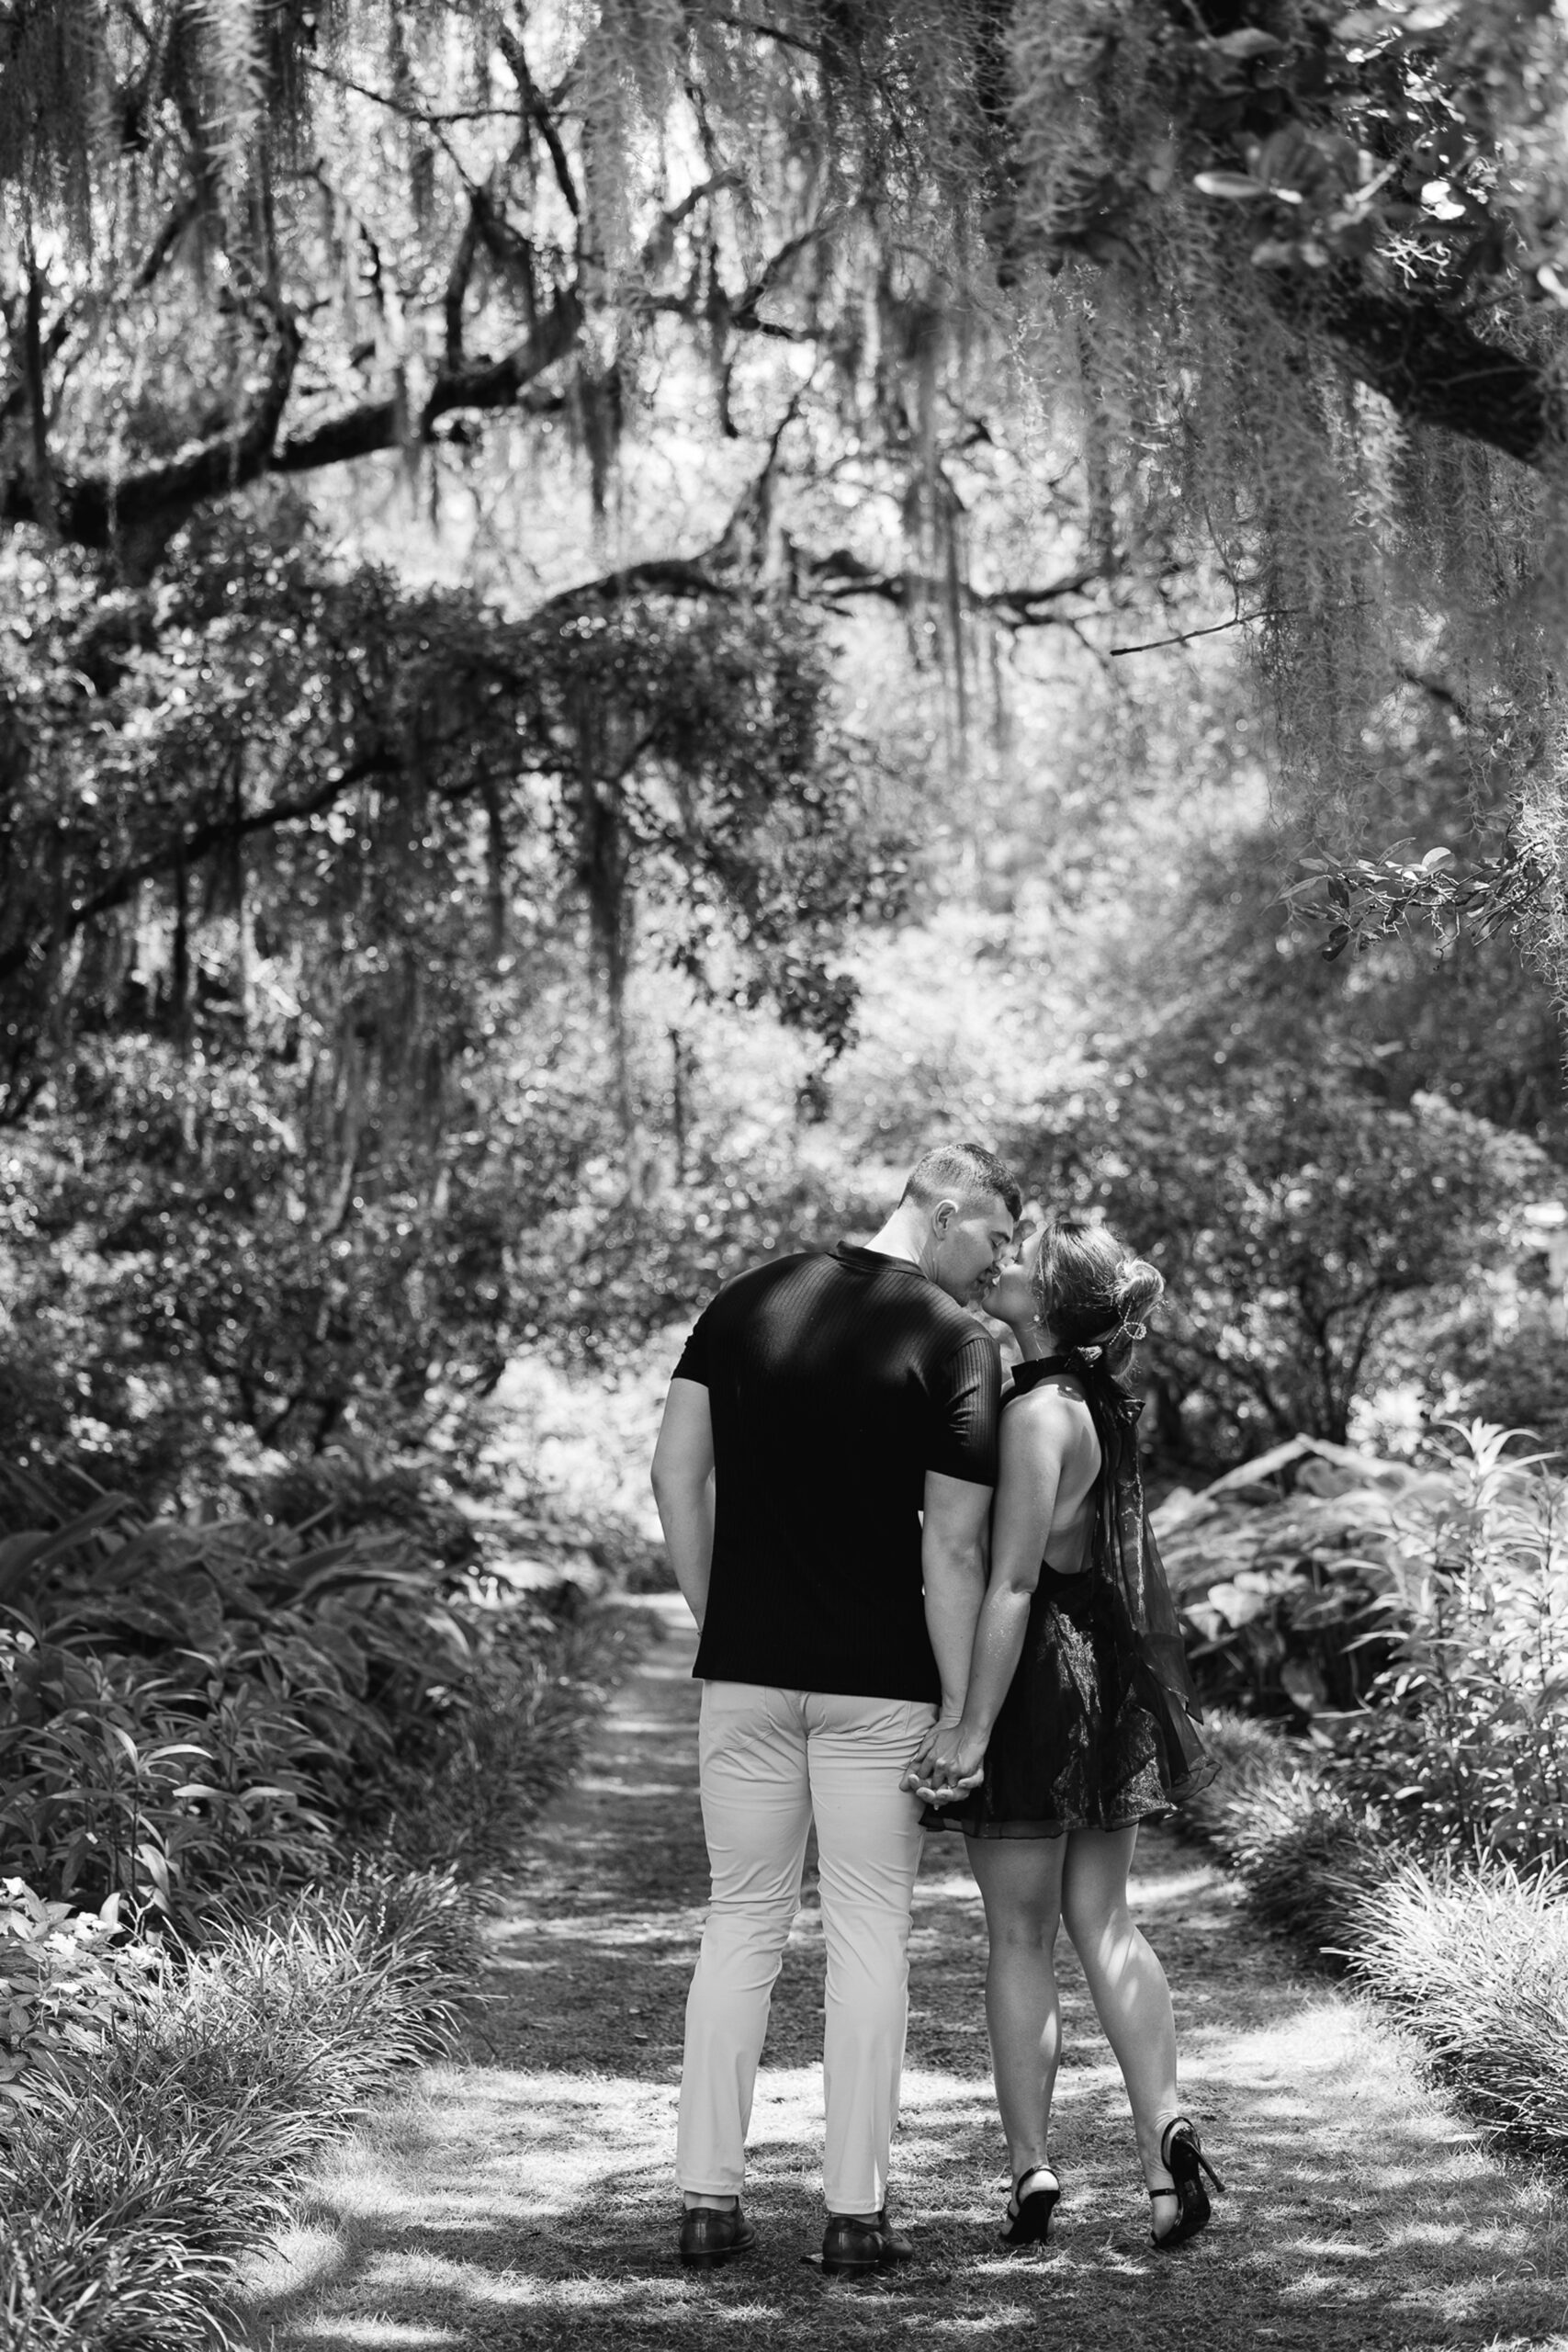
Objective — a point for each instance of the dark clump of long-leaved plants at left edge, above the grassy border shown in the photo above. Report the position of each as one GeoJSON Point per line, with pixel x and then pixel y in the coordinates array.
{"type": "Point", "coordinates": [194, 1713]}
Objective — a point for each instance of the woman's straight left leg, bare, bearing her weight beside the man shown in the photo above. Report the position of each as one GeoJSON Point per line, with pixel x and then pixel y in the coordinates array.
{"type": "Point", "coordinates": [1021, 1885]}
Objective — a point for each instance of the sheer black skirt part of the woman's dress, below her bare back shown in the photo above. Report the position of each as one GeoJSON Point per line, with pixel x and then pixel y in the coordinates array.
{"type": "Point", "coordinates": [1087, 1739]}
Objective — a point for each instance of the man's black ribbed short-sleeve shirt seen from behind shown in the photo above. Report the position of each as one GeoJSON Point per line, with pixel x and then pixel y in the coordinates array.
{"type": "Point", "coordinates": [836, 1384]}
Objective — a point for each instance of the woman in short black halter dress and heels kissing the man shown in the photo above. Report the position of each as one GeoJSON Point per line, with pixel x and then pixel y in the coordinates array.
{"type": "Point", "coordinates": [1078, 1723]}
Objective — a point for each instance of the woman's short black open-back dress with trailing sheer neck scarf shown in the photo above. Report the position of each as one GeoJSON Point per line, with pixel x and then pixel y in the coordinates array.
{"type": "Point", "coordinates": [1099, 1728]}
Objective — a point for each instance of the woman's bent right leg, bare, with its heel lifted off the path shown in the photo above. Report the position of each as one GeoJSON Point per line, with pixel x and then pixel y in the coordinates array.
{"type": "Point", "coordinates": [1130, 1991]}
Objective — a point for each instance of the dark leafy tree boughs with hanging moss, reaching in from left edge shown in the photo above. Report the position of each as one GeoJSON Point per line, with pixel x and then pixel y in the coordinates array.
{"type": "Point", "coordinates": [295, 808]}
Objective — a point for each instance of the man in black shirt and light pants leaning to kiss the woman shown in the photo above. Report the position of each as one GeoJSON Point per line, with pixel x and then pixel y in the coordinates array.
{"type": "Point", "coordinates": [824, 1478]}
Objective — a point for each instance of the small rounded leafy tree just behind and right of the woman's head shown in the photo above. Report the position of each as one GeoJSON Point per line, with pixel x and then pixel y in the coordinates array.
{"type": "Point", "coordinates": [1289, 1215]}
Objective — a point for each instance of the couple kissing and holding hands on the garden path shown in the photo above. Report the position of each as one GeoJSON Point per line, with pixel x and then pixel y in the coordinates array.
{"type": "Point", "coordinates": [930, 1603]}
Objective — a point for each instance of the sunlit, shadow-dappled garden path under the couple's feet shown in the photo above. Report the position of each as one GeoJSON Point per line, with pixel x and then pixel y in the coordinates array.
{"type": "Point", "coordinates": [525, 2198]}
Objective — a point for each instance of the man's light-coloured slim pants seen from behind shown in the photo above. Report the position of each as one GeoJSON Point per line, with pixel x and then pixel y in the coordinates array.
{"type": "Point", "coordinates": [770, 1765]}
